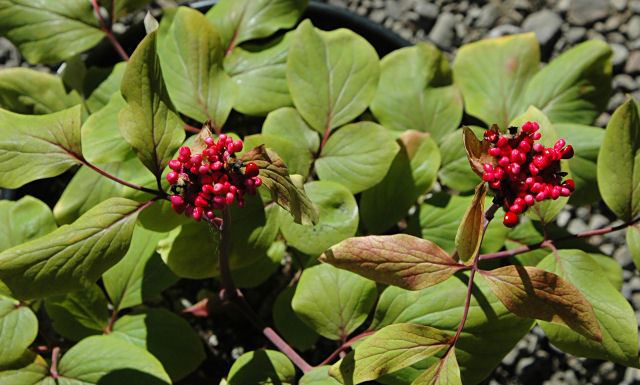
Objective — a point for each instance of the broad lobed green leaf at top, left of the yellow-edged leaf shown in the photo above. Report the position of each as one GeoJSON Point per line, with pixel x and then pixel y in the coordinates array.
{"type": "Point", "coordinates": [410, 96]}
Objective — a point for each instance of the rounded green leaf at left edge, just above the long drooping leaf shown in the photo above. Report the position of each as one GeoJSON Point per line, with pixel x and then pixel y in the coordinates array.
{"type": "Point", "coordinates": [24, 220]}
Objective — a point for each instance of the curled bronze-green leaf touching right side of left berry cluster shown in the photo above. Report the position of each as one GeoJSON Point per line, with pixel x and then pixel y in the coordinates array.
{"type": "Point", "coordinates": [275, 176]}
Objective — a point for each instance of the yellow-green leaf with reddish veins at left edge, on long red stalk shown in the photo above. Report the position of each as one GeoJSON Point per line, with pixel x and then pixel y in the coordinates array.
{"type": "Point", "coordinates": [38, 146]}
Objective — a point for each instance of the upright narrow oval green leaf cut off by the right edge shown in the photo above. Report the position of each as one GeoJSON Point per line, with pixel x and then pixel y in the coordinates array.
{"type": "Point", "coordinates": [619, 162]}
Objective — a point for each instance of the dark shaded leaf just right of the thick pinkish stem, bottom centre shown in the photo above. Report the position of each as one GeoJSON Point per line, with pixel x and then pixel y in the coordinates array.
{"type": "Point", "coordinates": [293, 330]}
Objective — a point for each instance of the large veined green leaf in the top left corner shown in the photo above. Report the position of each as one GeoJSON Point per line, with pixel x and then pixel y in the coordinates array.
{"type": "Point", "coordinates": [49, 32]}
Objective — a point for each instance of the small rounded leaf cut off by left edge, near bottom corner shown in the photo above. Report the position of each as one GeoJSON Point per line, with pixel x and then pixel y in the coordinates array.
{"type": "Point", "coordinates": [18, 329]}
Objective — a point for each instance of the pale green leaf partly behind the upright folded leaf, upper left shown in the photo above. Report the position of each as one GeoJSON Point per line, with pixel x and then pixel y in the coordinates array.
{"type": "Point", "coordinates": [102, 141]}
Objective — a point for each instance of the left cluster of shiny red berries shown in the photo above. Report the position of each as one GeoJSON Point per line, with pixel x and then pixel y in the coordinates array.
{"type": "Point", "coordinates": [211, 180]}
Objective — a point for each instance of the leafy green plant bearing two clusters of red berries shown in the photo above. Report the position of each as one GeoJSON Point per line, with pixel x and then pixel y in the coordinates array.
{"type": "Point", "coordinates": [272, 165]}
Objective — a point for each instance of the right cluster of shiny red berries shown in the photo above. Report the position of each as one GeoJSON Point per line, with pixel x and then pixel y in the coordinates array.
{"type": "Point", "coordinates": [525, 172]}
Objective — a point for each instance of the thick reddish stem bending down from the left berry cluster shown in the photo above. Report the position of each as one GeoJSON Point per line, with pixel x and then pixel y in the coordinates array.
{"type": "Point", "coordinates": [230, 293]}
